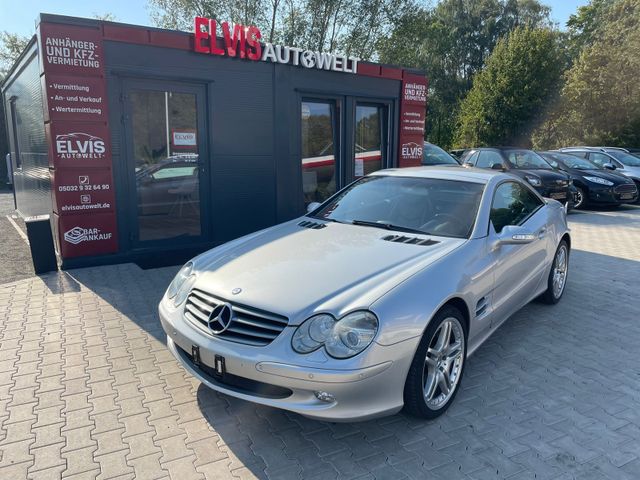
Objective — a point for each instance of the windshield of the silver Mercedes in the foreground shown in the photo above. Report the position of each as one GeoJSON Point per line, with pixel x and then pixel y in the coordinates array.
{"type": "Point", "coordinates": [423, 205]}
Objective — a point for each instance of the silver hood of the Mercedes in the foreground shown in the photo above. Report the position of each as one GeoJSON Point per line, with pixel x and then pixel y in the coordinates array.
{"type": "Point", "coordinates": [296, 271]}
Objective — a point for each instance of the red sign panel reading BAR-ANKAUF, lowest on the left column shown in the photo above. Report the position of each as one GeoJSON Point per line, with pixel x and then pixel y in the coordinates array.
{"type": "Point", "coordinates": [82, 235]}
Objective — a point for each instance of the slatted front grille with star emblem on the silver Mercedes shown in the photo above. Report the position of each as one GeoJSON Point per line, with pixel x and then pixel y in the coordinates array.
{"type": "Point", "coordinates": [248, 325]}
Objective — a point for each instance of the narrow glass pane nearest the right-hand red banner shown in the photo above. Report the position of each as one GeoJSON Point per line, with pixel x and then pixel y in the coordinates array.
{"type": "Point", "coordinates": [368, 140]}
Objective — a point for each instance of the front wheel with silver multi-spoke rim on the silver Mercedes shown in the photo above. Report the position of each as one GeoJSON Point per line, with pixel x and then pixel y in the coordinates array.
{"type": "Point", "coordinates": [437, 367]}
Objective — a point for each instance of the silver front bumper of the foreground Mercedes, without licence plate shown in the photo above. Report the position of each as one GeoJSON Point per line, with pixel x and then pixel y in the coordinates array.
{"type": "Point", "coordinates": [362, 388]}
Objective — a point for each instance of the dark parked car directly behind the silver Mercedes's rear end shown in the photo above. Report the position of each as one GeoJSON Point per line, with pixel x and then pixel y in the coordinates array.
{"type": "Point", "coordinates": [527, 165]}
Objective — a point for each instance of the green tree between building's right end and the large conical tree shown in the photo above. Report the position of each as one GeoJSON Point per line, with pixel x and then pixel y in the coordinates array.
{"type": "Point", "coordinates": [451, 43]}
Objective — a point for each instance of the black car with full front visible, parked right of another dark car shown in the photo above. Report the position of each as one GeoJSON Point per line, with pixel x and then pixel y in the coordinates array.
{"type": "Point", "coordinates": [594, 184]}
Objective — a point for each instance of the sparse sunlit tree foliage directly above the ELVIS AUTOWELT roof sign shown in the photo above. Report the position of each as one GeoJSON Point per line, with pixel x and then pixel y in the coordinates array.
{"type": "Point", "coordinates": [353, 27]}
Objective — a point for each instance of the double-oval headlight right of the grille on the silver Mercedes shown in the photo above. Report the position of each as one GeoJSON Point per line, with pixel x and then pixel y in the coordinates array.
{"type": "Point", "coordinates": [341, 338]}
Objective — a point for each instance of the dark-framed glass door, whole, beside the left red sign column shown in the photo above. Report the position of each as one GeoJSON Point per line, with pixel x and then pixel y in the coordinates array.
{"type": "Point", "coordinates": [166, 152]}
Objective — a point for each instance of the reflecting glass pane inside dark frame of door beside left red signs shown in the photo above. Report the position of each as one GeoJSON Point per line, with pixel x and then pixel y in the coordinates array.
{"type": "Point", "coordinates": [165, 149]}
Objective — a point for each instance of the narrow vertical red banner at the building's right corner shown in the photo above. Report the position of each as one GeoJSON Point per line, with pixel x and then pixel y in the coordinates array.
{"type": "Point", "coordinates": [413, 107]}
